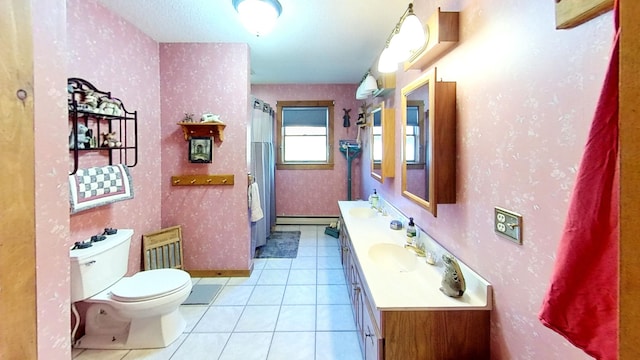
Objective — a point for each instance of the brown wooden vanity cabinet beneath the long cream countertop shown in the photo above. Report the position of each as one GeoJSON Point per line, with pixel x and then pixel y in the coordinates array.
{"type": "Point", "coordinates": [411, 334]}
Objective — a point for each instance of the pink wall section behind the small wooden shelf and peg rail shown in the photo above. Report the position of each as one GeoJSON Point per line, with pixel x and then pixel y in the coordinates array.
{"type": "Point", "coordinates": [198, 78]}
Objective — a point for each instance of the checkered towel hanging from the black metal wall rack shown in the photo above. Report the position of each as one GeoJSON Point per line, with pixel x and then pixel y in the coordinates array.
{"type": "Point", "coordinates": [97, 186]}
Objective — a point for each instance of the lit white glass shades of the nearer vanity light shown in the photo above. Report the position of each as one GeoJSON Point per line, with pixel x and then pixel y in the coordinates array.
{"type": "Point", "coordinates": [407, 37]}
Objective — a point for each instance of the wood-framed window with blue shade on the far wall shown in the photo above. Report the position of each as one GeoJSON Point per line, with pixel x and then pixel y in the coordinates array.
{"type": "Point", "coordinates": [305, 134]}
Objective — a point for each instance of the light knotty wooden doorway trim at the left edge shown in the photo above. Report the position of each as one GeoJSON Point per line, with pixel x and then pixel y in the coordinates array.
{"type": "Point", "coordinates": [18, 332]}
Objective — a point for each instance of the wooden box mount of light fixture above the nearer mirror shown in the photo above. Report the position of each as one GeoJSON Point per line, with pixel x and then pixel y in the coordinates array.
{"type": "Point", "coordinates": [443, 36]}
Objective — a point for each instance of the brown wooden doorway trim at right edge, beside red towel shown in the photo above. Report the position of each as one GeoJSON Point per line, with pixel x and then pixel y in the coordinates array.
{"type": "Point", "coordinates": [629, 328]}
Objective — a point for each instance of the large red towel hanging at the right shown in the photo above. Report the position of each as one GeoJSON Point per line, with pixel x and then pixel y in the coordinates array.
{"type": "Point", "coordinates": [581, 303]}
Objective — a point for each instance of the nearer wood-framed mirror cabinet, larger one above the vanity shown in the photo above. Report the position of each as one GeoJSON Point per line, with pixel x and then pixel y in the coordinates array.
{"type": "Point", "coordinates": [428, 122]}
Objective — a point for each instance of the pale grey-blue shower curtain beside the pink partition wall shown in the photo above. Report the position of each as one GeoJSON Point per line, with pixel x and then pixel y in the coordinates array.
{"type": "Point", "coordinates": [263, 170]}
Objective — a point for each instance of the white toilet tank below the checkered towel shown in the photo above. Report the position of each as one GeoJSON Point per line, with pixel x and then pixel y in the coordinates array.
{"type": "Point", "coordinates": [96, 268]}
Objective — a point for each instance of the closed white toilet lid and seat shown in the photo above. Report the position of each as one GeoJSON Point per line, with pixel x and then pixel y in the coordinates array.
{"type": "Point", "coordinates": [150, 284]}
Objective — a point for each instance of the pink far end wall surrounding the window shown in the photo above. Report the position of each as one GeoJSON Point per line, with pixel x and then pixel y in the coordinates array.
{"type": "Point", "coordinates": [317, 192]}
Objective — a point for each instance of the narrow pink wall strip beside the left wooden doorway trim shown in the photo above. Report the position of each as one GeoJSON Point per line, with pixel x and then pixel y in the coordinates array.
{"type": "Point", "coordinates": [51, 192]}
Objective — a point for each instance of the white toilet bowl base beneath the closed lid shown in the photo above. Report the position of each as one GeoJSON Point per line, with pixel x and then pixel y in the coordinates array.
{"type": "Point", "coordinates": [107, 331]}
